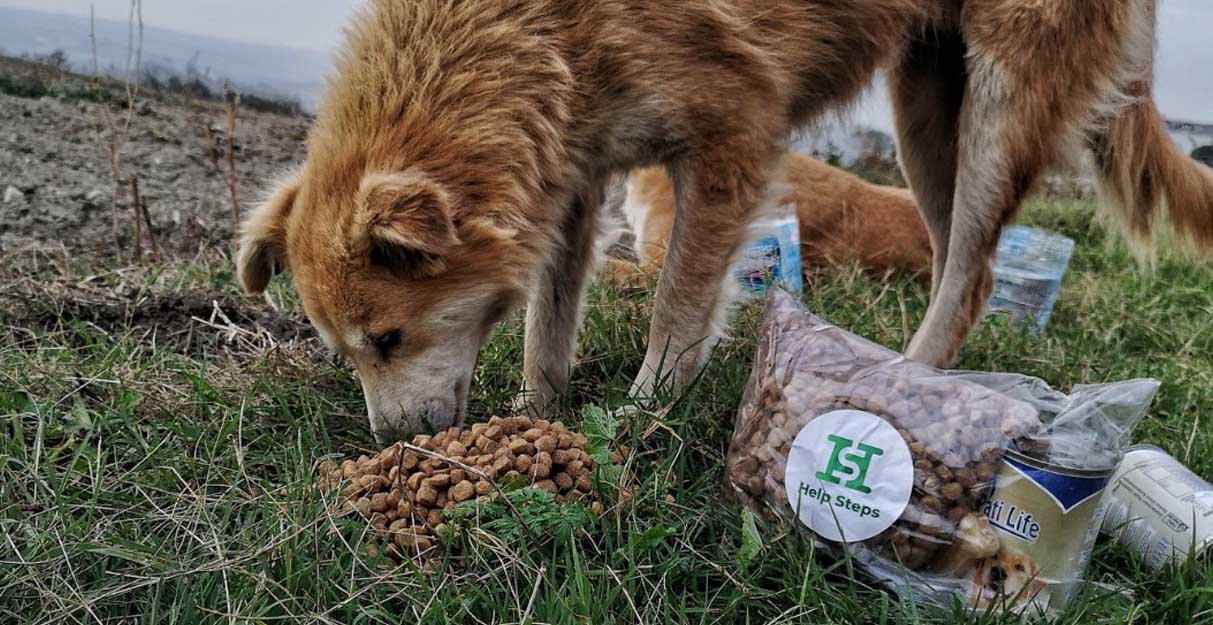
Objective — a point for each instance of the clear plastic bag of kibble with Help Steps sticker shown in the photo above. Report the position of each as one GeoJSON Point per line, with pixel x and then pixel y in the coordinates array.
{"type": "Point", "coordinates": [898, 463]}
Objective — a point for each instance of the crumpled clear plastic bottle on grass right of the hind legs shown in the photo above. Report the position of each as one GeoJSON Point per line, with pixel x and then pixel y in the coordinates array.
{"type": "Point", "coordinates": [1028, 275]}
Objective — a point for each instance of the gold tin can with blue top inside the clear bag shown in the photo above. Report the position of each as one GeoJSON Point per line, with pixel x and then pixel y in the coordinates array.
{"type": "Point", "coordinates": [1046, 520]}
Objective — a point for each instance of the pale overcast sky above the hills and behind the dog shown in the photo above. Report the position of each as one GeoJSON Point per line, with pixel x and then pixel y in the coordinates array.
{"type": "Point", "coordinates": [1184, 70]}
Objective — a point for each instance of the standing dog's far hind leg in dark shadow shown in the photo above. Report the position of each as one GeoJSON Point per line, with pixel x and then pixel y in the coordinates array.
{"type": "Point", "coordinates": [927, 89]}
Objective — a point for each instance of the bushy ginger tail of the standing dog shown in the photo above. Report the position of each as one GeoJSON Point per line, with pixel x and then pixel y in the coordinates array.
{"type": "Point", "coordinates": [1142, 174]}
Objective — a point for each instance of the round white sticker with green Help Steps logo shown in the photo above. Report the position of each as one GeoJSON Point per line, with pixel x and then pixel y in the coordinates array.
{"type": "Point", "coordinates": [850, 476]}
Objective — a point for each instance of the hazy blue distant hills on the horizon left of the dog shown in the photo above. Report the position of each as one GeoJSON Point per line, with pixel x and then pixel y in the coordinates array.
{"type": "Point", "coordinates": [267, 71]}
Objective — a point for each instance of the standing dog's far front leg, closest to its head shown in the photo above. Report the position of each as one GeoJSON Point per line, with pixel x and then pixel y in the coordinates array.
{"type": "Point", "coordinates": [554, 312]}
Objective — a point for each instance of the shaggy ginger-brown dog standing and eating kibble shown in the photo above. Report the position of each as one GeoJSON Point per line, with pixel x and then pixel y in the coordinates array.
{"type": "Point", "coordinates": [462, 152]}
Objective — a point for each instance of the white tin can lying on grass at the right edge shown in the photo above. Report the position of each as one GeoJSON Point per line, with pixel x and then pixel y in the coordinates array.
{"type": "Point", "coordinates": [1159, 508]}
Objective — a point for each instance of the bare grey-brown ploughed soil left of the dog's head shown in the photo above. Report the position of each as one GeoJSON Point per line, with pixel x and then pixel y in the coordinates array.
{"type": "Point", "coordinates": [55, 171]}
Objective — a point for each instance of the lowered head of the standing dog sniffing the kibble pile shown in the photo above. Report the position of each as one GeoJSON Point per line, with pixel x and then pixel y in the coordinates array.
{"type": "Point", "coordinates": [395, 276]}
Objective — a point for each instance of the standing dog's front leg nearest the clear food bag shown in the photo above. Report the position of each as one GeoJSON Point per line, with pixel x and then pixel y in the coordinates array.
{"type": "Point", "coordinates": [719, 195]}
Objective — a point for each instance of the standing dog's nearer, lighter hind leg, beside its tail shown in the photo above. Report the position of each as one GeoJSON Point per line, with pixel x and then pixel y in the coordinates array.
{"type": "Point", "coordinates": [1017, 118]}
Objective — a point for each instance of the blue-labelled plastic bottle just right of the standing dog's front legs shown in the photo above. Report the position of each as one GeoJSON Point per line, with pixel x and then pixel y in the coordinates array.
{"type": "Point", "coordinates": [772, 254]}
